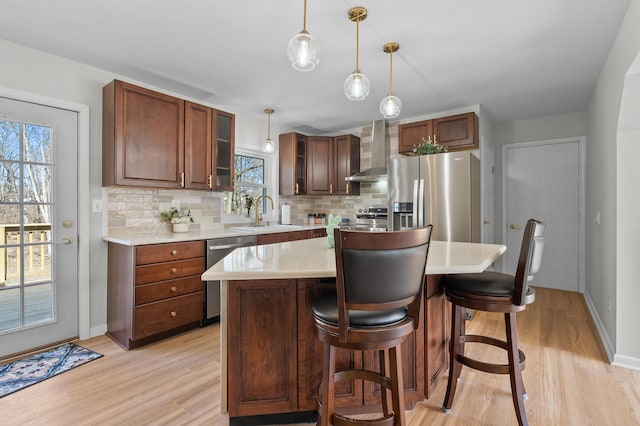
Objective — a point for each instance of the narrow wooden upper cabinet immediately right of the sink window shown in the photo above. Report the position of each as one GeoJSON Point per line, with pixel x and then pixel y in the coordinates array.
{"type": "Point", "coordinates": [293, 164]}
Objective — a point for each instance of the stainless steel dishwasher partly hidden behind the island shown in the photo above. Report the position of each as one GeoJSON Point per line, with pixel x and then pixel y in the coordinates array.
{"type": "Point", "coordinates": [217, 249]}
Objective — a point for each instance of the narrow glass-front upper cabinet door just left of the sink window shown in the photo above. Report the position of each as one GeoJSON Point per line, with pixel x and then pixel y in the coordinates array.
{"type": "Point", "coordinates": [224, 146]}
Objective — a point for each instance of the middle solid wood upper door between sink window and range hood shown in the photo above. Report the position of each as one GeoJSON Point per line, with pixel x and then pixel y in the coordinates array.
{"type": "Point", "coordinates": [320, 165]}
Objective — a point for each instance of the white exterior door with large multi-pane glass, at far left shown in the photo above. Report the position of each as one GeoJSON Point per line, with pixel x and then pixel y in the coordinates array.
{"type": "Point", "coordinates": [38, 225]}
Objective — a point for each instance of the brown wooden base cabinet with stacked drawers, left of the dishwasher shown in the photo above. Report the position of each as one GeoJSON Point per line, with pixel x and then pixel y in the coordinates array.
{"type": "Point", "coordinates": [153, 291]}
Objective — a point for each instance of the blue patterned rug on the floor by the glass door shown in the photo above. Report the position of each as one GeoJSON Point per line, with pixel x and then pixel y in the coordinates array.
{"type": "Point", "coordinates": [36, 368]}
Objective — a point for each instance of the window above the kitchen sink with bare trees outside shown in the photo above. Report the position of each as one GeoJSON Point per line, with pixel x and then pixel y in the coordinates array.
{"type": "Point", "coordinates": [249, 183]}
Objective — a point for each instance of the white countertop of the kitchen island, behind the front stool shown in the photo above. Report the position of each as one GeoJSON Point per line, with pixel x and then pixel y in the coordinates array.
{"type": "Point", "coordinates": [313, 259]}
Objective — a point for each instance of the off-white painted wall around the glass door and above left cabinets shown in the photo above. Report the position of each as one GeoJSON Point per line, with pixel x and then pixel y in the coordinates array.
{"type": "Point", "coordinates": [36, 72]}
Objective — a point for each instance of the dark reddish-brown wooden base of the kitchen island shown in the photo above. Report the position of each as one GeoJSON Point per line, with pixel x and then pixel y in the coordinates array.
{"type": "Point", "coordinates": [275, 359]}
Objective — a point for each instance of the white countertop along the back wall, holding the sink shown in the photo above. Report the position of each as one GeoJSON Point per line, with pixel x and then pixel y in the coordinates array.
{"type": "Point", "coordinates": [157, 237]}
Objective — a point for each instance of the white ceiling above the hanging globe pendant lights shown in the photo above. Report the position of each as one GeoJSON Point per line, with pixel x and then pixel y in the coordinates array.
{"type": "Point", "coordinates": [516, 58]}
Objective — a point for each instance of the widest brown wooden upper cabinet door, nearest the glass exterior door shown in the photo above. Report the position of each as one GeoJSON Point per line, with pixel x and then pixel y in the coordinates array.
{"type": "Point", "coordinates": [143, 137]}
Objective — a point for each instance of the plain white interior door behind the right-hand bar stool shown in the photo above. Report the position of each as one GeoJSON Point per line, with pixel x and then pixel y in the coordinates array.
{"type": "Point", "coordinates": [543, 180]}
